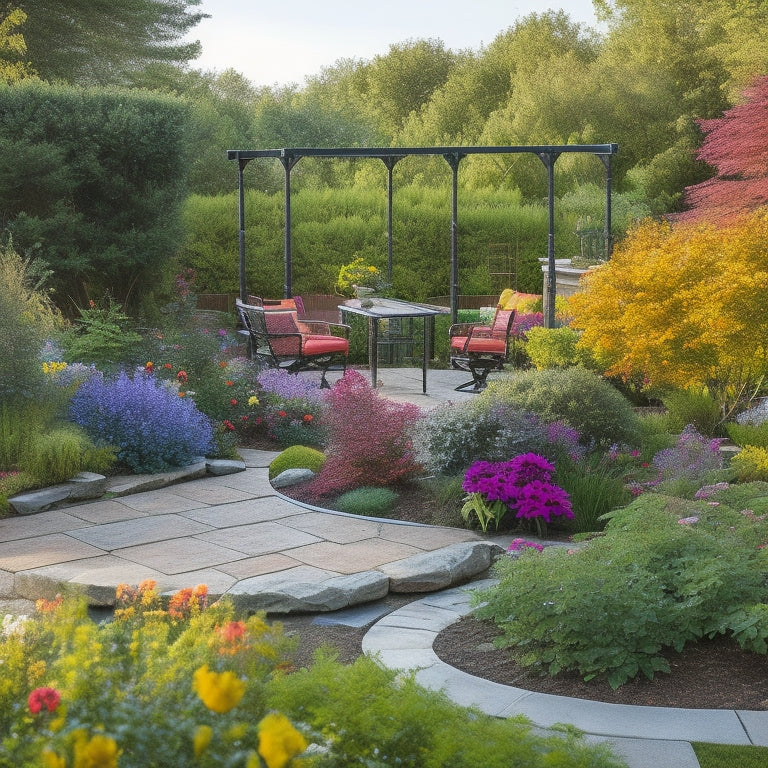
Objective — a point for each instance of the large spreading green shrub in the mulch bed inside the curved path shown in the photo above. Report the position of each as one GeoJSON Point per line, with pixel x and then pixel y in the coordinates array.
{"type": "Point", "coordinates": [668, 571]}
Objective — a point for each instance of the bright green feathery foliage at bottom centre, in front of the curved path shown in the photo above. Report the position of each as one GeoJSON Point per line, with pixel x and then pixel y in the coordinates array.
{"type": "Point", "coordinates": [373, 716]}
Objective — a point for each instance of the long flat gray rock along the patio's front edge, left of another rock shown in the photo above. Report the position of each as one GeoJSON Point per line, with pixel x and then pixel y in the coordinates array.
{"type": "Point", "coordinates": [333, 594]}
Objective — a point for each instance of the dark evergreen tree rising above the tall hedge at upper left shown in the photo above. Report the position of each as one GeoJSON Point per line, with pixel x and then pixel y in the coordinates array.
{"type": "Point", "coordinates": [101, 42]}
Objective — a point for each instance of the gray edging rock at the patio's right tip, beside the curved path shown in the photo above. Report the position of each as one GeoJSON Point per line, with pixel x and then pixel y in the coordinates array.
{"type": "Point", "coordinates": [432, 571]}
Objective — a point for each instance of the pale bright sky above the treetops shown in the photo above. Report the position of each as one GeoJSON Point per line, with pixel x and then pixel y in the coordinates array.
{"type": "Point", "coordinates": [274, 44]}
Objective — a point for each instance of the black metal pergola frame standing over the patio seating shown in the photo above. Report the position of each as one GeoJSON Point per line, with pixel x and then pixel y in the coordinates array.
{"type": "Point", "coordinates": [453, 156]}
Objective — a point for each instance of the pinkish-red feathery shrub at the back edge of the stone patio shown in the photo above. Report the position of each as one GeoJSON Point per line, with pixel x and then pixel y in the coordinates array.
{"type": "Point", "coordinates": [369, 439]}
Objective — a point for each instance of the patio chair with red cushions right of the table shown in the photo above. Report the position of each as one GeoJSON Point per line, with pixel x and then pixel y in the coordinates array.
{"type": "Point", "coordinates": [480, 349]}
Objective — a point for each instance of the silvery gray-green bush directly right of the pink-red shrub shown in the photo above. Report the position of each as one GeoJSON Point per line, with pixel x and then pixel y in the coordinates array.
{"type": "Point", "coordinates": [450, 437]}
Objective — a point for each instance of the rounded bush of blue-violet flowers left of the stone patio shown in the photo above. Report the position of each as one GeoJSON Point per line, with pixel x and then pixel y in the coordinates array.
{"type": "Point", "coordinates": [152, 427]}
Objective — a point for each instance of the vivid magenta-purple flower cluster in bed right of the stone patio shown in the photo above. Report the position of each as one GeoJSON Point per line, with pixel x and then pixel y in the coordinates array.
{"type": "Point", "coordinates": [524, 484]}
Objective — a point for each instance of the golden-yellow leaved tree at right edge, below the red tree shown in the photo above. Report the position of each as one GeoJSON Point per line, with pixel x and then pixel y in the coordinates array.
{"type": "Point", "coordinates": [682, 306]}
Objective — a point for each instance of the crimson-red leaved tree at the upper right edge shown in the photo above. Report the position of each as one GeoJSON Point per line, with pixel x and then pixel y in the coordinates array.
{"type": "Point", "coordinates": [736, 144]}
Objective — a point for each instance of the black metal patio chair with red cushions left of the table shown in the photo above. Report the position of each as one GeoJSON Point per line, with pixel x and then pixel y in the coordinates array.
{"type": "Point", "coordinates": [280, 340]}
